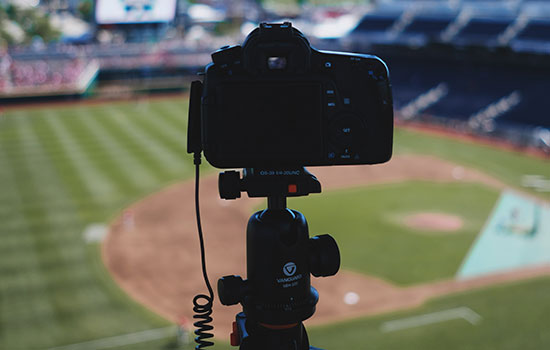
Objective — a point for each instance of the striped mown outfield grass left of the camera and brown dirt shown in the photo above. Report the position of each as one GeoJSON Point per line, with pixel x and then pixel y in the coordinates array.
{"type": "Point", "coordinates": [60, 170]}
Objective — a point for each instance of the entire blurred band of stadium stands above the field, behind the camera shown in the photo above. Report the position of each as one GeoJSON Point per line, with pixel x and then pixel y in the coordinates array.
{"type": "Point", "coordinates": [76, 49]}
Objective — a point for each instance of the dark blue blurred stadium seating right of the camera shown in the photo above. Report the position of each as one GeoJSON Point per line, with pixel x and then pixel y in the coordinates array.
{"type": "Point", "coordinates": [476, 66]}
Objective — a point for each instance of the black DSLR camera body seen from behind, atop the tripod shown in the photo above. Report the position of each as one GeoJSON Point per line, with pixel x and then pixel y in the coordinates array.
{"type": "Point", "coordinates": [278, 103]}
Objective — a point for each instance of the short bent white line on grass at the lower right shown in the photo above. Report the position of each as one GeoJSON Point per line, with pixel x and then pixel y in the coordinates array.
{"type": "Point", "coordinates": [446, 315]}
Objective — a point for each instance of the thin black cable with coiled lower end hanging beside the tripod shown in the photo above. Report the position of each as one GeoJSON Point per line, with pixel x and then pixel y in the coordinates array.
{"type": "Point", "coordinates": [203, 311]}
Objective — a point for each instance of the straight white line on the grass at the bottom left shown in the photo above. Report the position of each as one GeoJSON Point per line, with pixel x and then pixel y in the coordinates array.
{"type": "Point", "coordinates": [121, 340]}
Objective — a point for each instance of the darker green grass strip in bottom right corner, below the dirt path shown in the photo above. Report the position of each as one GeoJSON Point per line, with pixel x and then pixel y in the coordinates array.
{"type": "Point", "coordinates": [514, 316]}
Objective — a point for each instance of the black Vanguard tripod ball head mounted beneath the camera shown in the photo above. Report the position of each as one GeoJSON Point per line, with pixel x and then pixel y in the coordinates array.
{"type": "Point", "coordinates": [277, 296]}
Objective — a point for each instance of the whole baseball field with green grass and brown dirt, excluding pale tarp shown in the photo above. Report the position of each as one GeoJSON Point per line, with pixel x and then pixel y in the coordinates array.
{"type": "Point", "coordinates": [94, 198]}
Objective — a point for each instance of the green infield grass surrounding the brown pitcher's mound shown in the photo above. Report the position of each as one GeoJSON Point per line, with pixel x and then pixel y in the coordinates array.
{"type": "Point", "coordinates": [366, 222]}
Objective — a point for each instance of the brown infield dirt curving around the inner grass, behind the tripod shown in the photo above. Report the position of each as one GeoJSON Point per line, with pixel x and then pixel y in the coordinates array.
{"type": "Point", "coordinates": [152, 249]}
